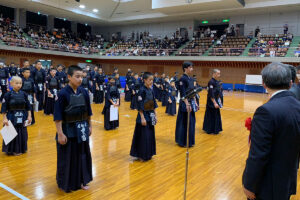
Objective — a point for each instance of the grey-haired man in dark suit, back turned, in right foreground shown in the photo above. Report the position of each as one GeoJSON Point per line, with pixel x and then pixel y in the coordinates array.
{"type": "Point", "coordinates": [271, 167]}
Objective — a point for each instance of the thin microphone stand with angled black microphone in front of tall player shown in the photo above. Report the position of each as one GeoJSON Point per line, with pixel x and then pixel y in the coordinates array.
{"type": "Point", "coordinates": [190, 94]}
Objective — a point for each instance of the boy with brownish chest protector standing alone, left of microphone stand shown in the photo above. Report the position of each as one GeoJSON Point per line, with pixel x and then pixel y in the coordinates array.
{"type": "Point", "coordinates": [143, 145]}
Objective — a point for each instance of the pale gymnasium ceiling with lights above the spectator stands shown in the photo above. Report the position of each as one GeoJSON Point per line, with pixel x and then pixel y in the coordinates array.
{"type": "Point", "coordinates": [113, 12]}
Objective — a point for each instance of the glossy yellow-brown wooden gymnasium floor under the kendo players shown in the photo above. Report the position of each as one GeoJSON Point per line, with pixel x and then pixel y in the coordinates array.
{"type": "Point", "coordinates": [215, 167]}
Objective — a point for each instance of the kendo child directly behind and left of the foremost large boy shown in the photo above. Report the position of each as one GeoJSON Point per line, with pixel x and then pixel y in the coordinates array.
{"type": "Point", "coordinates": [52, 88]}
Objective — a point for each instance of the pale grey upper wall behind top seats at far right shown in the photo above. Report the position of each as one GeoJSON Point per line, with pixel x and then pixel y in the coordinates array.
{"type": "Point", "coordinates": [270, 23]}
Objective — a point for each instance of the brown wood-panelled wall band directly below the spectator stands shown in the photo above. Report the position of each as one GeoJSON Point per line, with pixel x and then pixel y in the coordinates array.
{"type": "Point", "coordinates": [232, 72]}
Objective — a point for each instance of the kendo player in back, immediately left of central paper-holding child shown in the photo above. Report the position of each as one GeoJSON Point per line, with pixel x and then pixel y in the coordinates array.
{"type": "Point", "coordinates": [100, 86]}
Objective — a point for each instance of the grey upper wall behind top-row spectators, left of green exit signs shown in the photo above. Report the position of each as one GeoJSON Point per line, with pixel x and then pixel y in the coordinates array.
{"type": "Point", "coordinates": [155, 29]}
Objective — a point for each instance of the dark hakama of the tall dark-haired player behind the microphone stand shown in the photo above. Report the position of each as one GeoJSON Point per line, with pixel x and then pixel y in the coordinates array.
{"type": "Point", "coordinates": [181, 127]}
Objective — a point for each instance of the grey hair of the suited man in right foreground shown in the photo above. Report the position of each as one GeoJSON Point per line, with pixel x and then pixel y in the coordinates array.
{"type": "Point", "coordinates": [277, 76]}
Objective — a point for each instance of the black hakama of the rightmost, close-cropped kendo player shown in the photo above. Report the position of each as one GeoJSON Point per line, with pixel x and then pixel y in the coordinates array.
{"type": "Point", "coordinates": [212, 123]}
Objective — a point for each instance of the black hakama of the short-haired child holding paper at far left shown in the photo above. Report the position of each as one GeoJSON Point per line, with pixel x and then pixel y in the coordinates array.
{"type": "Point", "coordinates": [18, 144]}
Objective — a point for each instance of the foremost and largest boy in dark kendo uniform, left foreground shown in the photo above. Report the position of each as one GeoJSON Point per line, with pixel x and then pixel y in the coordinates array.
{"type": "Point", "coordinates": [72, 116]}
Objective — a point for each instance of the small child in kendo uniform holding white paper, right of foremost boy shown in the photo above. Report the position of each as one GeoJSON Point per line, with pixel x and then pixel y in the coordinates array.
{"type": "Point", "coordinates": [112, 98]}
